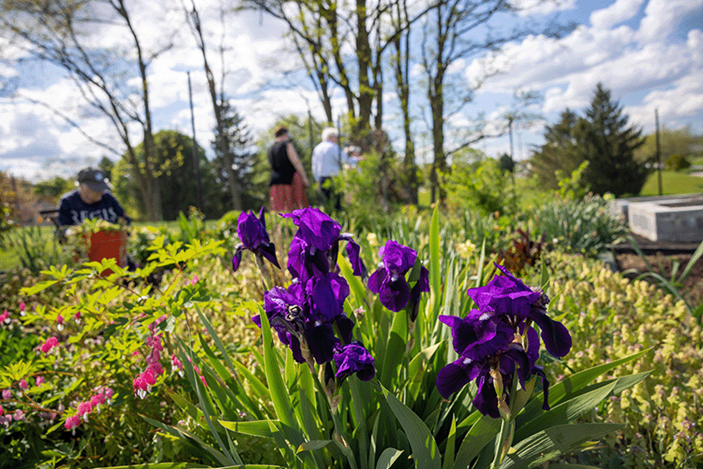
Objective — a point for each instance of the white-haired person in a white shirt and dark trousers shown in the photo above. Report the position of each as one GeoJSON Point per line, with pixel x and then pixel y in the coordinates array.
{"type": "Point", "coordinates": [327, 160]}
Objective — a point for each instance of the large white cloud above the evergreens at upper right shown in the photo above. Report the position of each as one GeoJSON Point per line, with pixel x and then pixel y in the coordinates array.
{"type": "Point", "coordinates": [627, 61]}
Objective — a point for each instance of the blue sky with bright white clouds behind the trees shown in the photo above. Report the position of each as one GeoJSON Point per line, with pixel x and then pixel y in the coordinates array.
{"type": "Point", "coordinates": [649, 53]}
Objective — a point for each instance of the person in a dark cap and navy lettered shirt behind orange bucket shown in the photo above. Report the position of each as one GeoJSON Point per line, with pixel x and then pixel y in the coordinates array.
{"type": "Point", "coordinates": [91, 200]}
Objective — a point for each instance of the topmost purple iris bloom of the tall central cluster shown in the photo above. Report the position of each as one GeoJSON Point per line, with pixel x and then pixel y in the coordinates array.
{"type": "Point", "coordinates": [315, 246]}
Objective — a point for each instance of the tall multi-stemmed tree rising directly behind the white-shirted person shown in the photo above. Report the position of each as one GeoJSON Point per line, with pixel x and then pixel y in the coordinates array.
{"type": "Point", "coordinates": [324, 31]}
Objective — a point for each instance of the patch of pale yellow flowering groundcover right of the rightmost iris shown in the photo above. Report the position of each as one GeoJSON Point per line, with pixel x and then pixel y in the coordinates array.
{"type": "Point", "coordinates": [610, 317]}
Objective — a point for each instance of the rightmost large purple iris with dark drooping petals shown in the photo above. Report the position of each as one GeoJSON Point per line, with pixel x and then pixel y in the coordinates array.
{"type": "Point", "coordinates": [497, 339]}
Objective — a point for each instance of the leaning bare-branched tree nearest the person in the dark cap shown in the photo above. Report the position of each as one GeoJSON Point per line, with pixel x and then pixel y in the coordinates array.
{"type": "Point", "coordinates": [63, 32]}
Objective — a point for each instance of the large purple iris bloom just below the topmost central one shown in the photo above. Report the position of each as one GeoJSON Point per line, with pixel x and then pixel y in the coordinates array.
{"type": "Point", "coordinates": [305, 316]}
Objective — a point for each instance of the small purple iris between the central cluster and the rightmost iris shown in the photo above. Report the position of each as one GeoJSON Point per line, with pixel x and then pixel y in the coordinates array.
{"type": "Point", "coordinates": [389, 280]}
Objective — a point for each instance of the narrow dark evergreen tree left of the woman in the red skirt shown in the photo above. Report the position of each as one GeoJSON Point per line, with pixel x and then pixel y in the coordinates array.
{"type": "Point", "coordinates": [238, 144]}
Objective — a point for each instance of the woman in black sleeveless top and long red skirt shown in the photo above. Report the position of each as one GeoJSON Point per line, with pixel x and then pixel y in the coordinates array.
{"type": "Point", "coordinates": [288, 180]}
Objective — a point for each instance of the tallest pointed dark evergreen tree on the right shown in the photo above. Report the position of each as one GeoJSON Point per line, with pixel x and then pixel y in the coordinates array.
{"type": "Point", "coordinates": [609, 146]}
